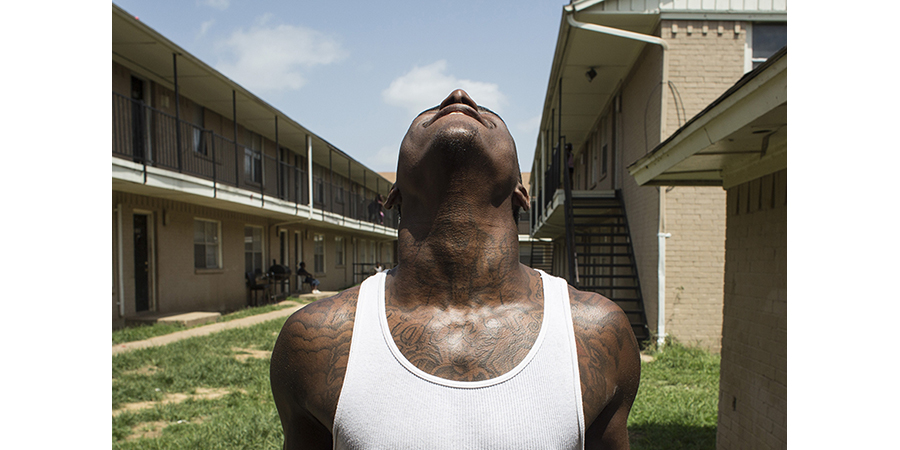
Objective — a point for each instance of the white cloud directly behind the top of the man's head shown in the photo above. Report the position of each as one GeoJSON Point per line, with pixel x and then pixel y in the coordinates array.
{"type": "Point", "coordinates": [424, 87]}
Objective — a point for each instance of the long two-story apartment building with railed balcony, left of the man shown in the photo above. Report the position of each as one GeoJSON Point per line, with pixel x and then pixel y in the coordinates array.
{"type": "Point", "coordinates": [212, 185]}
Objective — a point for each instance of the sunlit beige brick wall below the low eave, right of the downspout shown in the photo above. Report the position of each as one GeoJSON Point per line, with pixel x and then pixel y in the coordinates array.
{"type": "Point", "coordinates": [695, 264]}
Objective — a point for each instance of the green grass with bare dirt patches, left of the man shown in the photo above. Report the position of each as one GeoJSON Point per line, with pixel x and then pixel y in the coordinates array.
{"type": "Point", "coordinates": [245, 417]}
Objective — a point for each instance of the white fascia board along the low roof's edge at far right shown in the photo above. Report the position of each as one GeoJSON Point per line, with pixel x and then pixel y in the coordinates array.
{"type": "Point", "coordinates": [760, 95]}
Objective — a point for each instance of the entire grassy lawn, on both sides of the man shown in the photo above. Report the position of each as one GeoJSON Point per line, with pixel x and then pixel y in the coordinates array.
{"type": "Point", "coordinates": [213, 392]}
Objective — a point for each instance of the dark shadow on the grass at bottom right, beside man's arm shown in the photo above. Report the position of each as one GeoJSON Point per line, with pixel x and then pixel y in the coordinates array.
{"type": "Point", "coordinates": [671, 437]}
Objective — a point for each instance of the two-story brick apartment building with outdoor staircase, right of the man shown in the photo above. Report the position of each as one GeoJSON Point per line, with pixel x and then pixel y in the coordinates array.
{"type": "Point", "coordinates": [625, 75]}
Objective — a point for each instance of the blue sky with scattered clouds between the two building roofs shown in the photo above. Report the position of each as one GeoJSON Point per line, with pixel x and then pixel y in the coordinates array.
{"type": "Point", "coordinates": [357, 72]}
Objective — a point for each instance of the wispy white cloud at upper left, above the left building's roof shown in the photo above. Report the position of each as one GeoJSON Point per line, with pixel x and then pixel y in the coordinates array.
{"type": "Point", "coordinates": [272, 58]}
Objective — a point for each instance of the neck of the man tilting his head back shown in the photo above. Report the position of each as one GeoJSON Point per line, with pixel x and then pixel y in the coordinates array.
{"type": "Point", "coordinates": [457, 255]}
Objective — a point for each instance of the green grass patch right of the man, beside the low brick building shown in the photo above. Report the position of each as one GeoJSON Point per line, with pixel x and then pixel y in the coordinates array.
{"type": "Point", "coordinates": [677, 403]}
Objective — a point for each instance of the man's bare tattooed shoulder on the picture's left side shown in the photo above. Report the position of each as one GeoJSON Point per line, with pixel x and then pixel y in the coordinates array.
{"type": "Point", "coordinates": [310, 357]}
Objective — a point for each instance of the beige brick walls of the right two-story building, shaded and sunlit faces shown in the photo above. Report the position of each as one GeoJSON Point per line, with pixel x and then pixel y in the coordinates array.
{"type": "Point", "coordinates": [701, 67]}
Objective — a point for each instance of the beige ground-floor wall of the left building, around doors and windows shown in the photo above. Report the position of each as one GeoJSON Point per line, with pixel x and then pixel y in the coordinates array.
{"type": "Point", "coordinates": [179, 287]}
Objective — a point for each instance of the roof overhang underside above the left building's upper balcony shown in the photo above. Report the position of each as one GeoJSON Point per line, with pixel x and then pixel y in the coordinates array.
{"type": "Point", "coordinates": [150, 54]}
